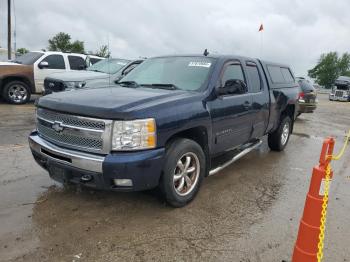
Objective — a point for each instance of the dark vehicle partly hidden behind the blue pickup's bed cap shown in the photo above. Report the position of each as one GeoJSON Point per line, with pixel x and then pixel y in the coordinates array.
{"type": "Point", "coordinates": [307, 98]}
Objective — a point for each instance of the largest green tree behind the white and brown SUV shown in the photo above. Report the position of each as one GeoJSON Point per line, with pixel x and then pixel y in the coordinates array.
{"type": "Point", "coordinates": [62, 42]}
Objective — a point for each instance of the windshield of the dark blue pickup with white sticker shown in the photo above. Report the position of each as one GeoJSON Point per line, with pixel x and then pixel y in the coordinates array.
{"type": "Point", "coordinates": [185, 73]}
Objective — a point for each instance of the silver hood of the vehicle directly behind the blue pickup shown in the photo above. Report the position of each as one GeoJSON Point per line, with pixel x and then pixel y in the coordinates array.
{"type": "Point", "coordinates": [78, 75]}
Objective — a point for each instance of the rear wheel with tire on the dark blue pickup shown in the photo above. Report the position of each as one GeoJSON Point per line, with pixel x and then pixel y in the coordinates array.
{"type": "Point", "coordinates": [279, 138]}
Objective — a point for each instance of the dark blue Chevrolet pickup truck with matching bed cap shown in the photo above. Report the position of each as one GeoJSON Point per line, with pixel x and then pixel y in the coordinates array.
{"type": "Point", "coordinates": [165, 124]}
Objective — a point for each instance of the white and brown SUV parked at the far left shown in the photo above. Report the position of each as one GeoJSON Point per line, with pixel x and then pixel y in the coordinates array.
{"type": "Point", "coordinates": [25, 75]}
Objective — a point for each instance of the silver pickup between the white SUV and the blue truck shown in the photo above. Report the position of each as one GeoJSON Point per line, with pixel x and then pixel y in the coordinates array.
{"type": "Point", "coordinates": [102, 73]}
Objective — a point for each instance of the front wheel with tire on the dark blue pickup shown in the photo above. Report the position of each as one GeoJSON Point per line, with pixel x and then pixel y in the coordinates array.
{"type": "Point", "coordinates": [183, 172]}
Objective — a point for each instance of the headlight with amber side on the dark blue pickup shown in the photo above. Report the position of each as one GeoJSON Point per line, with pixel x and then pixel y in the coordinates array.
{"type": "Point", "coordinates": [134, 135]}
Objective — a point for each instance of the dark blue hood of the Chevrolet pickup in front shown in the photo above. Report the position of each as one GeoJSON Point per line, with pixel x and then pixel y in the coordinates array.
{"type": "Point", "coordinates": [112, 102]}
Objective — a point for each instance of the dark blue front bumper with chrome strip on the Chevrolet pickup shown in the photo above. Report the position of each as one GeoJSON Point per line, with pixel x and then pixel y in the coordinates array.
{"type": "Point", "coordinates": [143, 168]}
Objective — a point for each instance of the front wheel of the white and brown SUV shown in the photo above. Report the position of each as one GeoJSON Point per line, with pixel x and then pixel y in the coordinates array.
{"type": "Point", "coordinates": [16, 92]}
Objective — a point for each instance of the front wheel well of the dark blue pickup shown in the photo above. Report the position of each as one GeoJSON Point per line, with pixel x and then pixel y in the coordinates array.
{"type": "Point", "coordinates": [197, 134]}
